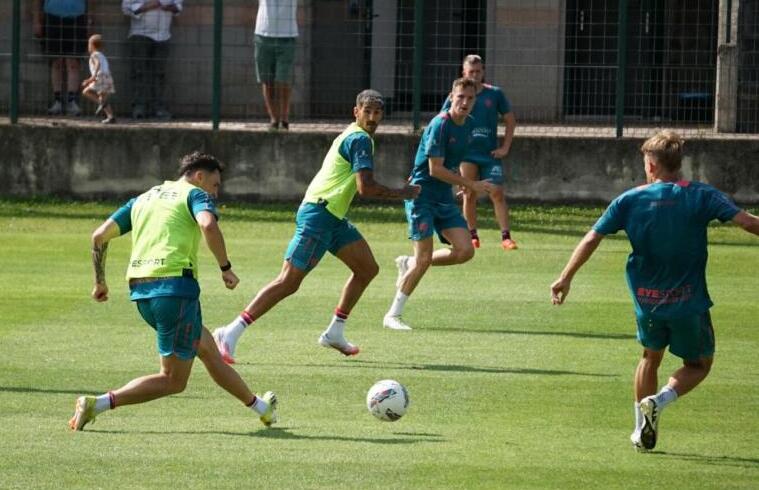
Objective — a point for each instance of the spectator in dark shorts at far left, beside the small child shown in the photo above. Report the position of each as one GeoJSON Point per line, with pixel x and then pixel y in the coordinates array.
{"type": "Point", "coordinates": [61, 26]}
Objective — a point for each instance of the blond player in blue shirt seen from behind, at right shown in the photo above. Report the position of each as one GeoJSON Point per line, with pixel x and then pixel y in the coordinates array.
{"type": "Point", "coordinates": [666, 222]}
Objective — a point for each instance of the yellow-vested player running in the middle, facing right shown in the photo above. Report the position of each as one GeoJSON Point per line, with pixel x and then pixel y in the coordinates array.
{"type": "Point", "coordinates": [321, 226]}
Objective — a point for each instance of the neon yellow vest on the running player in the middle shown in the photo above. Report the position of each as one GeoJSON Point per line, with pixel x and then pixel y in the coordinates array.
{"type": "Point", "coordinates": [335, 182]}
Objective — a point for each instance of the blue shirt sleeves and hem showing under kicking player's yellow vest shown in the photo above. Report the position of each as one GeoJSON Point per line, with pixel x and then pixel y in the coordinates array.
{"type": "Point", "coordinates": [184, 287]}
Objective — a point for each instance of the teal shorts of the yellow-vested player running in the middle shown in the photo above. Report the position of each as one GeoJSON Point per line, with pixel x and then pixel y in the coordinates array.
{"type": "Point", "coordinates": [316, 232]}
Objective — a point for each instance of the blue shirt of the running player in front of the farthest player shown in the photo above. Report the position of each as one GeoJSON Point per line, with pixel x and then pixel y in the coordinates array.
{"type": "Point", "coordinates": [442, 138]}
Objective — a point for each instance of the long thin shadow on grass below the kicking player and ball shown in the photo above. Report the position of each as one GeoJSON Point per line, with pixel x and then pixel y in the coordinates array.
{"type": "Point", "coordinates": [287, 433]}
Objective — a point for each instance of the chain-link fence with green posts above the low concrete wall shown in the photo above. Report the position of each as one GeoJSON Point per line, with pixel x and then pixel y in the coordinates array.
{"type": "Point", "coordinates": [566, 65]}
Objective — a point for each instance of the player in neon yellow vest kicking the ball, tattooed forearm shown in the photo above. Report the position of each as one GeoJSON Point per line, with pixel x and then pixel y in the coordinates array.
{"type": "Point", "coordinates": [167, 223]}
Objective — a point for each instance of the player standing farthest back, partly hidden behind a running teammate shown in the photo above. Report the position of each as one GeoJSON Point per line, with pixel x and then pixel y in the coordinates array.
{"type": "Point", "coordinates": [483, 158]}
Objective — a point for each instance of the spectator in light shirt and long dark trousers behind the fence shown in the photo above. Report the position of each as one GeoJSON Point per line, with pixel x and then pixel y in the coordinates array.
{"type": "Point", "coordinates": [149, 35]}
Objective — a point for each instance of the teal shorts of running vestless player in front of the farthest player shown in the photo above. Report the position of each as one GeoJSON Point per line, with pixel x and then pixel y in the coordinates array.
{"type": "Point", "coordinates": [426, 218]}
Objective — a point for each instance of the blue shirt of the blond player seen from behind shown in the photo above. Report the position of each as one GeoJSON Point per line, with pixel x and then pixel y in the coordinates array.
{"type": "Point", "coordinates": [666, 224]}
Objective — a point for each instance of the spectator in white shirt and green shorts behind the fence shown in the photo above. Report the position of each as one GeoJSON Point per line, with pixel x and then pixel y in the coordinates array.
{"type": "Point", "coordinates": [275, 35]}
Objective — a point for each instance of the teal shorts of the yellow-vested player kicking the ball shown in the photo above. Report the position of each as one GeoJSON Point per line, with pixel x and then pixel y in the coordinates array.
{"type": "Point", "coordinates": [177, 322]}
